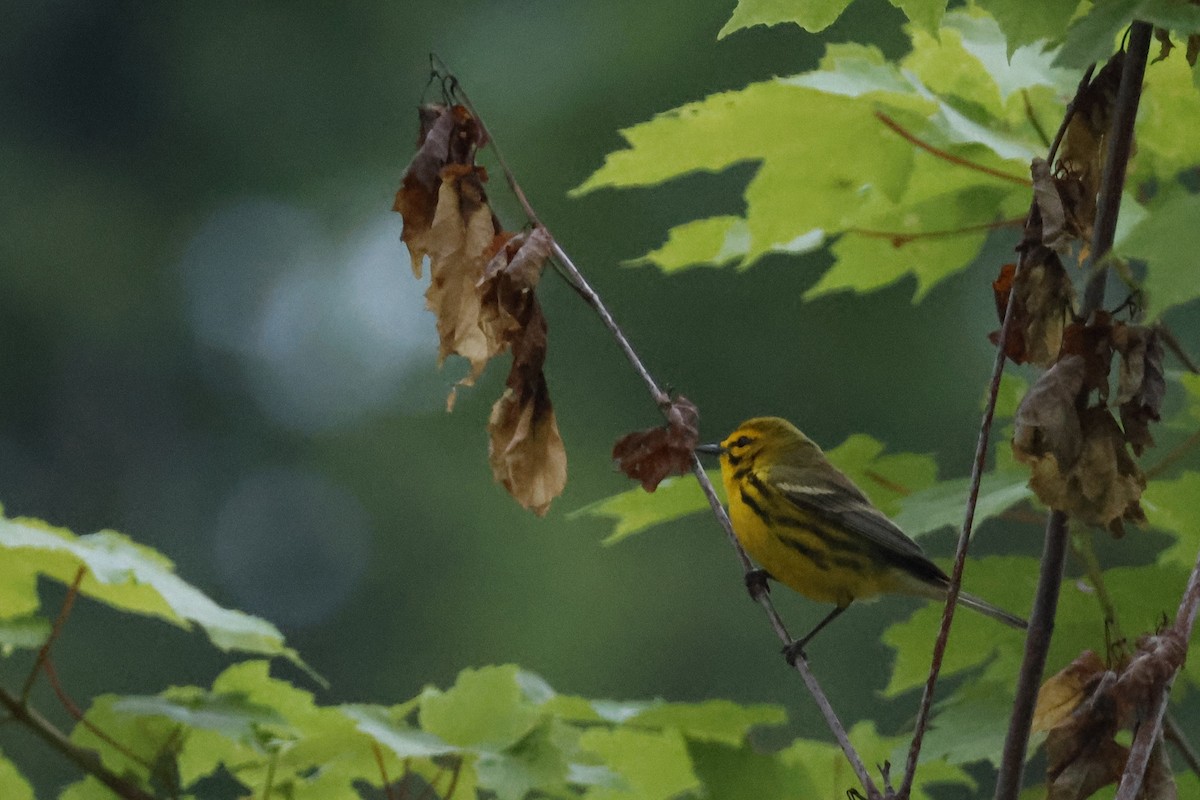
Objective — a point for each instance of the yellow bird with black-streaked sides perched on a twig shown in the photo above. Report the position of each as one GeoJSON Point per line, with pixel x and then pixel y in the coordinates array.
{"type": "Point", "coordinates": [812, 530]}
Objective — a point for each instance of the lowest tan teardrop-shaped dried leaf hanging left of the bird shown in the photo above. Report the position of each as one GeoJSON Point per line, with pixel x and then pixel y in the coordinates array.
{"type": "Point", "coordinates": [526, 450]}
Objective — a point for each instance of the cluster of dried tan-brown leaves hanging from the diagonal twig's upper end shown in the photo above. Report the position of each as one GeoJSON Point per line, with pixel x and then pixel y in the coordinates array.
{"type": "Point", "coordinates": [482, 290]}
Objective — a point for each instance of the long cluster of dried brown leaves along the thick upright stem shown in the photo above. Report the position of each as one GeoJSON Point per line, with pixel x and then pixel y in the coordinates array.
{"type": "Point", "coordinates": [1077, 452]}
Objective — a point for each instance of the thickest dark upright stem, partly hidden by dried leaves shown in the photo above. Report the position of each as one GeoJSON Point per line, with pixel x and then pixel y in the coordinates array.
{"type": "Point", "coordinates": [1037, 645]}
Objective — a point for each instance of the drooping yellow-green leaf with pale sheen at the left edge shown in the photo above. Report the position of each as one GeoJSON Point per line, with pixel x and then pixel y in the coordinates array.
{"type": "Point", "coordinates": [129, 578]}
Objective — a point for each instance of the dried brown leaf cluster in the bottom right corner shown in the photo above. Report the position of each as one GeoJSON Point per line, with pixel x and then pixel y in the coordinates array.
{"type": "Point", "coordinates": [1088, 705]}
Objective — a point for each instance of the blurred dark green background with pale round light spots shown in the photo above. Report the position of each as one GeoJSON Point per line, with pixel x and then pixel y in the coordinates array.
{"type": "Point", "coordinates": [166, 167]}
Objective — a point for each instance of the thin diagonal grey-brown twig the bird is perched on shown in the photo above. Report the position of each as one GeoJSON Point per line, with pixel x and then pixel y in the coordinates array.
{"type": "Point", "coordinates": [575, 279]}
